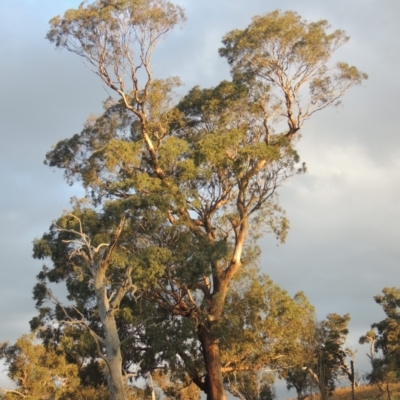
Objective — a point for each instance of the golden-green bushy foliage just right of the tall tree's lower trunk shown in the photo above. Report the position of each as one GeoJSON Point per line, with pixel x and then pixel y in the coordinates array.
{"type": "Point", "coordinates": [263, 325]}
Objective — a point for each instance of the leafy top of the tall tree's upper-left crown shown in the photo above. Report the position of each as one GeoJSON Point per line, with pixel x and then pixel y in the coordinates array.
{"type": "Point", "coordinates": [105, 31]}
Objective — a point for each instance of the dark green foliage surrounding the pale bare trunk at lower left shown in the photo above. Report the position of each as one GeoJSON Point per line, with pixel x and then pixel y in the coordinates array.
{"type": "Point", "coordinates": [69, 265]}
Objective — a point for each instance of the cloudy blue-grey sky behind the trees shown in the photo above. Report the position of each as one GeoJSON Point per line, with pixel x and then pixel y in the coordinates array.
{"type": "Point", "coordinates": [343, 246]}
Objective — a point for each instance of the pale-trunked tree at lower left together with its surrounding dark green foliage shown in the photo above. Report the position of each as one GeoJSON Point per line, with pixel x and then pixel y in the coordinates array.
{"type": "Point", "coordinates": [86, 253]}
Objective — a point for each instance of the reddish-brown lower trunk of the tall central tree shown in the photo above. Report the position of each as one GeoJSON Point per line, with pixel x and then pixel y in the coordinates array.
{"type": "Point", "coordinates": [214, 384]}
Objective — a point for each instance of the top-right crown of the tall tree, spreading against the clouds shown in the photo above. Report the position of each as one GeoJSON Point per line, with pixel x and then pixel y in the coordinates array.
{"type": "Point", "coordinates": [286, 52]}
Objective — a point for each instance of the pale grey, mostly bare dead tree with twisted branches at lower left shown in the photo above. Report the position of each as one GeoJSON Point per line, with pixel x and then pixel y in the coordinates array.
{"type": "Point", "coordinates": [93, 261]}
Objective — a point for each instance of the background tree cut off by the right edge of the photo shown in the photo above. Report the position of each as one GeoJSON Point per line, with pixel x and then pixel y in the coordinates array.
{"type": "Point", "coordinates": [384, 339]}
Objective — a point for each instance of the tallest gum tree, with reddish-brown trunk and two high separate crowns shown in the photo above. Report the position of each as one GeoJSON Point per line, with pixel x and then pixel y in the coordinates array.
{"type": "Point", "coordinates": [213, 163]}
